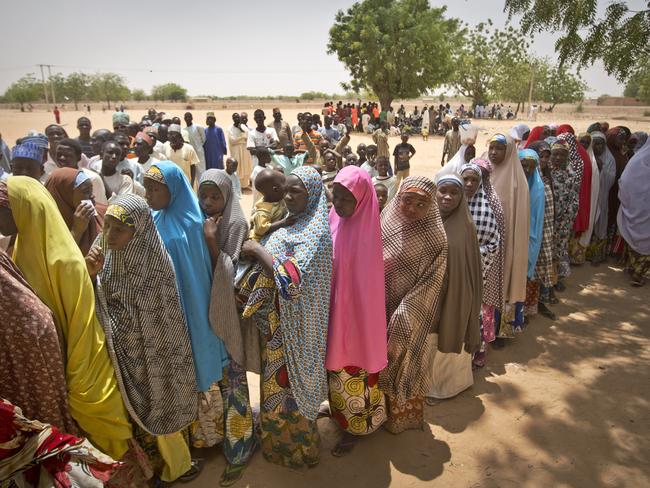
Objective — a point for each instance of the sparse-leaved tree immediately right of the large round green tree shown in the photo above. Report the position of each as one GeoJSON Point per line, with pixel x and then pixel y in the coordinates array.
{"type": "Point", "coordinates": [479, 59]}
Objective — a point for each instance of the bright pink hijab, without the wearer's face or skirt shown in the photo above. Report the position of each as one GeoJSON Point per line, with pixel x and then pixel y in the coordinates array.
{"type": "Point", "coordinates": [357, 328]}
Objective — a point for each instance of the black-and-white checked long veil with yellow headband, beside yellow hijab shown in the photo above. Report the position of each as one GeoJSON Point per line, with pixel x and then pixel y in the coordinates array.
{"type": "Point", "coordinates": [140, 310]}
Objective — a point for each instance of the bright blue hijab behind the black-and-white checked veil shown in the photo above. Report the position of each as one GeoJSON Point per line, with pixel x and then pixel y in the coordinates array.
{"type": "Point", "coordinates": [181, 227]}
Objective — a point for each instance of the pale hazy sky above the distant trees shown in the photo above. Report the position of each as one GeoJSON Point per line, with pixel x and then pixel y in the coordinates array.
{"type": "Point", "coordinates": [253, 47]}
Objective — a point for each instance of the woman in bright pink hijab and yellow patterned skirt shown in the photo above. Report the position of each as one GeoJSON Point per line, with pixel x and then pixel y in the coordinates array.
{"type": "Point", "coordinates": [357, 344]}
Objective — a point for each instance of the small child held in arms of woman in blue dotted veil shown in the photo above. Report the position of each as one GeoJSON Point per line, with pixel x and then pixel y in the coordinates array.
{"type": "Point", "coordinates": [269, 213]}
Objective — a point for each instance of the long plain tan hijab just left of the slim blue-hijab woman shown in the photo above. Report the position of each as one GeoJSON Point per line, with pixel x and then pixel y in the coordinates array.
{"type": "Point", "coordinates": [510, 184]}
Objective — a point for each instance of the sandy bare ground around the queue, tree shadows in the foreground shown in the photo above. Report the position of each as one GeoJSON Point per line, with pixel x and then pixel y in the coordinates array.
{"type": "Point", "coordinates": [566, 404]}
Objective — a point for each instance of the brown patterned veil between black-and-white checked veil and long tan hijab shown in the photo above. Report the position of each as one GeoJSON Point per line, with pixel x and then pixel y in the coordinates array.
{"type": "Point", "coordinates": [493, 290]}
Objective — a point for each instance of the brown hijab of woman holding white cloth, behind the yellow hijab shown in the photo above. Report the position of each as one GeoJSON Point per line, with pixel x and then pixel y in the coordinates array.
{"type": "Point", "coordinates": [61, 184]}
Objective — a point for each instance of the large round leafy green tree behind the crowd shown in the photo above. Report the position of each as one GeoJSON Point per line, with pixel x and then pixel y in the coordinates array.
{"type": "Point", "coordinates": [396, 48]}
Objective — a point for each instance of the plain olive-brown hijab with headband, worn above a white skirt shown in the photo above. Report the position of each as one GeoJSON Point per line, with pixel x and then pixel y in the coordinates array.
{"type": "Point", "coordinates": [461, 306]}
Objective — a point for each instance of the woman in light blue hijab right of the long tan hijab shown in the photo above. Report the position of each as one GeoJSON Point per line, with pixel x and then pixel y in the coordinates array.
{"type": "Point", "coordinates": [530, 163]}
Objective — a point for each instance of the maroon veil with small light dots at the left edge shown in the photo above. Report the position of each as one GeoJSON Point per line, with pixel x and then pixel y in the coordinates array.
{"type": "Point", "coordinates": [32, 372]}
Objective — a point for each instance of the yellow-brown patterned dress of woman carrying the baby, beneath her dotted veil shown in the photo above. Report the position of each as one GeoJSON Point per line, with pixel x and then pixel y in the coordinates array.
{"type": "Point", "coordinates": [288, 438]}
